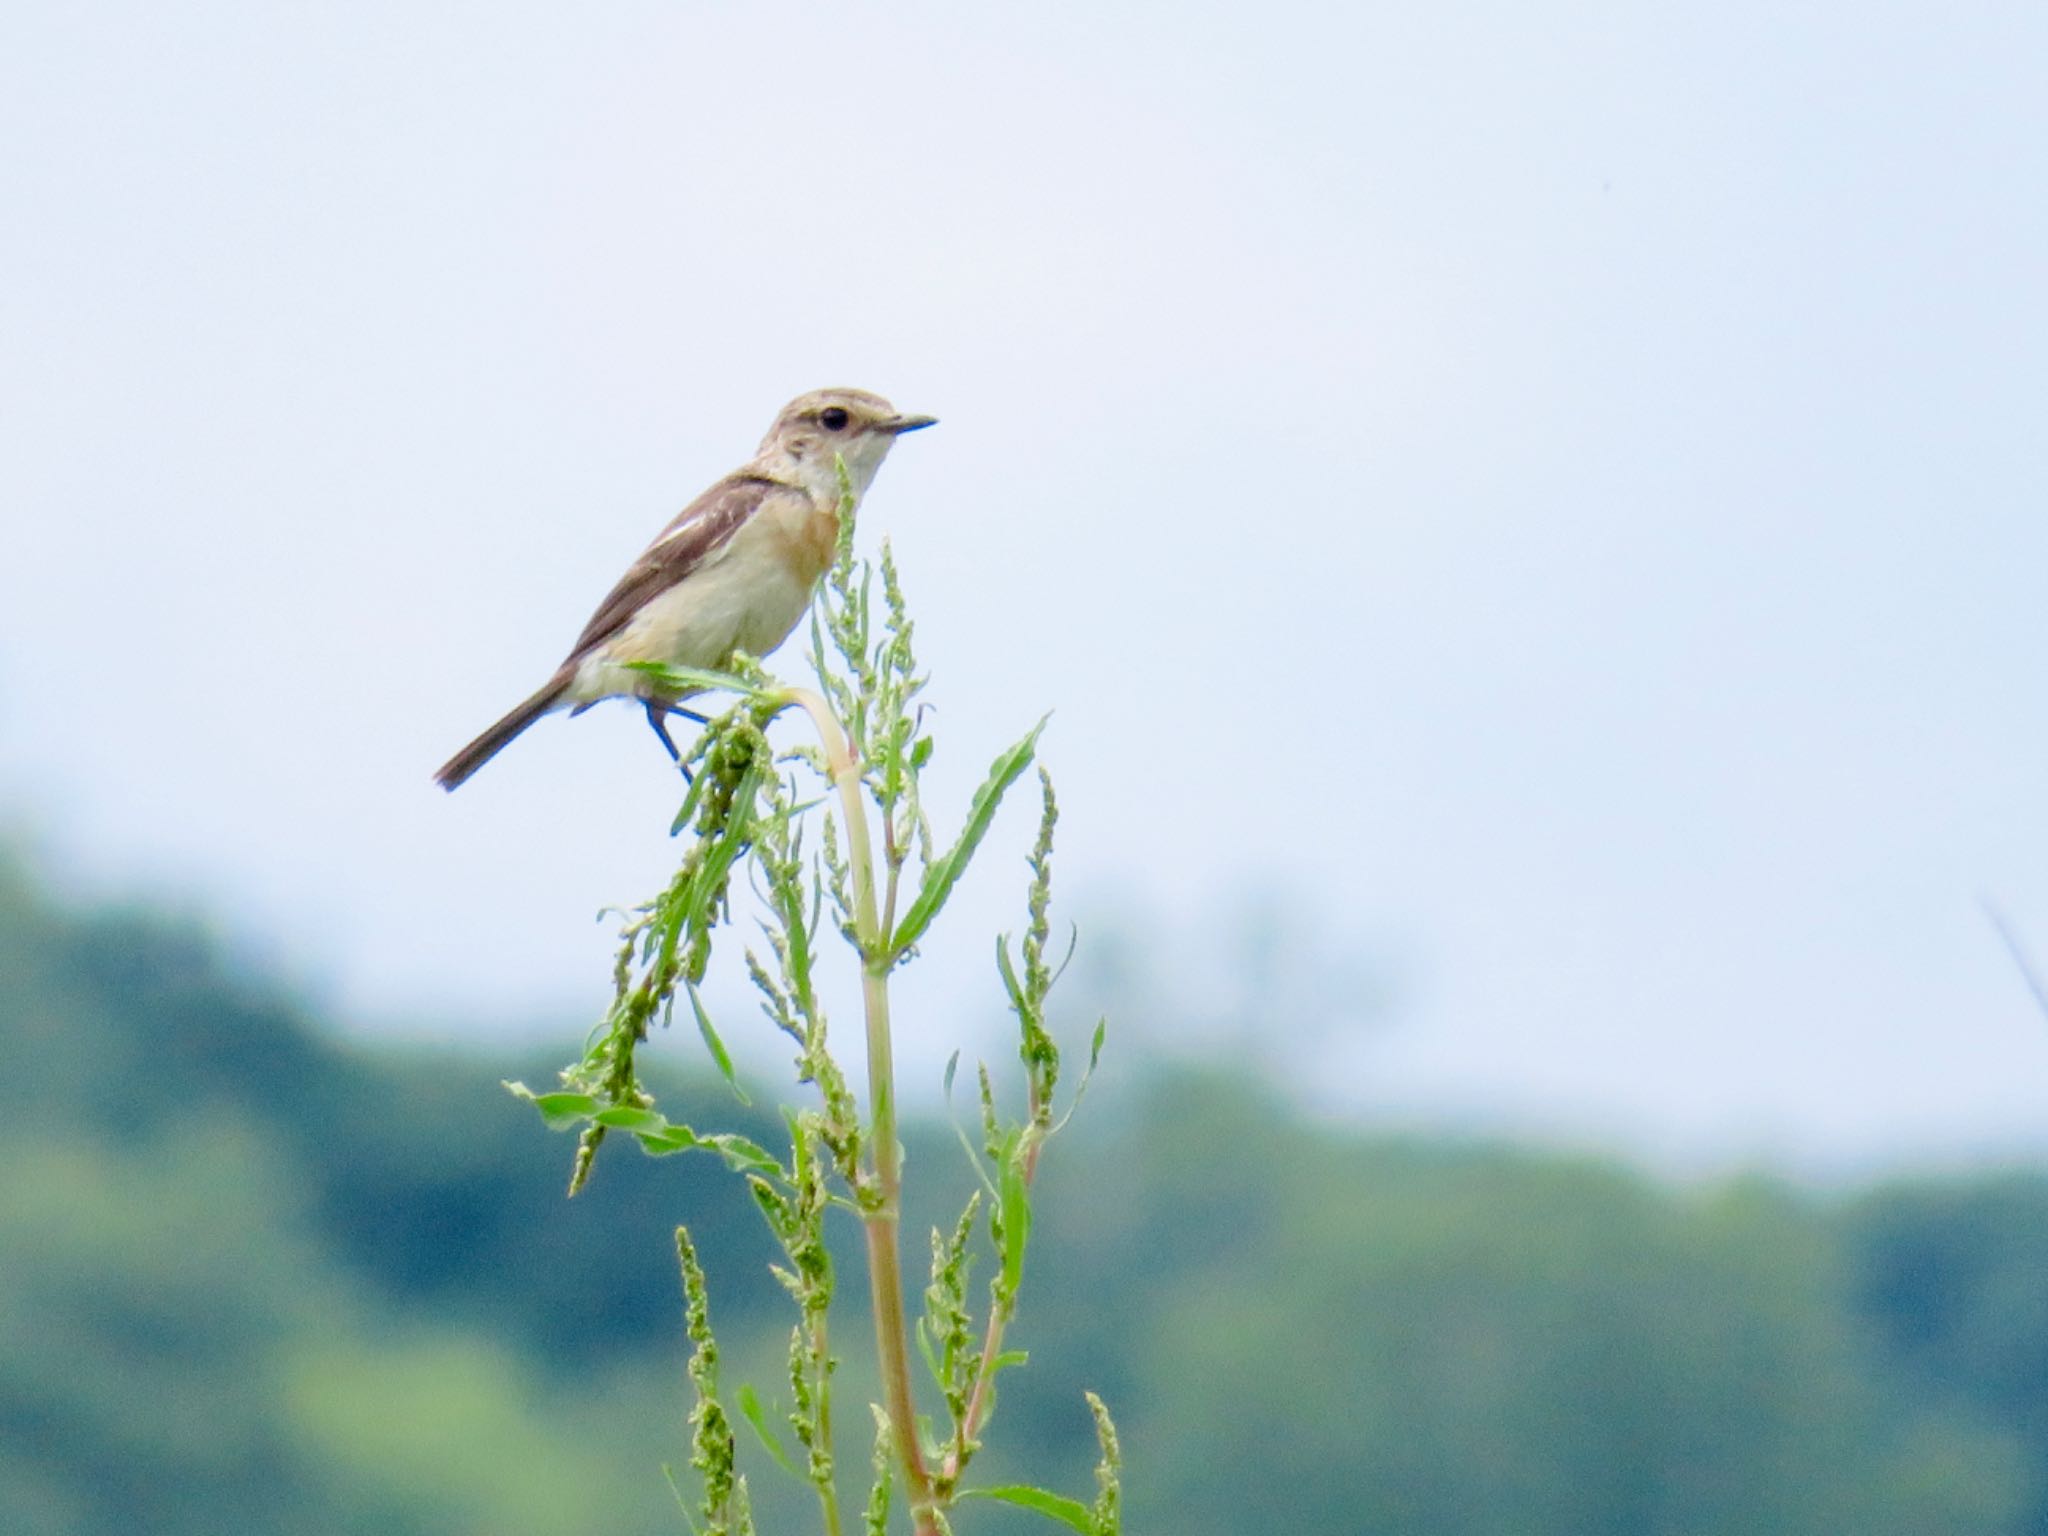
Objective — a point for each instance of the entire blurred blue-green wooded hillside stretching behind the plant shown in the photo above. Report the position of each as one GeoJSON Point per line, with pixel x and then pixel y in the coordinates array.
{"type": "Point", "coordinates": [255, 1279]}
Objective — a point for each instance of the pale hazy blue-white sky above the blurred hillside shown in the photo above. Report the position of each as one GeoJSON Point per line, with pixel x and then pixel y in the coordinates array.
{"type": "Point", "coordinates": [1553, 490]}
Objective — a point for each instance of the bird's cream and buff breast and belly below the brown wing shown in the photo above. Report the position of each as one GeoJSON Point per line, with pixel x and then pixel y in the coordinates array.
{"type": "Point", "coordinates": [746, 597]}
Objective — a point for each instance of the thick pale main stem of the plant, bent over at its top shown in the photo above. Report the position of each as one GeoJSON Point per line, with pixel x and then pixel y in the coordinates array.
{"type": "Point", "coordinates": [882, 1222]}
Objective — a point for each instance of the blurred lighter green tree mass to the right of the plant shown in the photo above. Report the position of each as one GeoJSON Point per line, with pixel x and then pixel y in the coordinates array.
{"type": "Point", "coordinates": [1410, 1338]}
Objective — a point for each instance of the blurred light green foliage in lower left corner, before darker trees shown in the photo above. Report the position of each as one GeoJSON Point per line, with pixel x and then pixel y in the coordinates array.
{"type": "Point", "coordinates": [179, 1355]}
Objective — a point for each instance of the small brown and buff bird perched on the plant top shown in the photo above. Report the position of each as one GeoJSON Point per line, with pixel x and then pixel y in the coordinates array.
{"type": "Point", "coordinates": [734, 572]}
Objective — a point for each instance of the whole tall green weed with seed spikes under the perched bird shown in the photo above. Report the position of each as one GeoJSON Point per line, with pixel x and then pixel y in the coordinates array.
{"type": "Point", "coordinates": [746, 810]}
